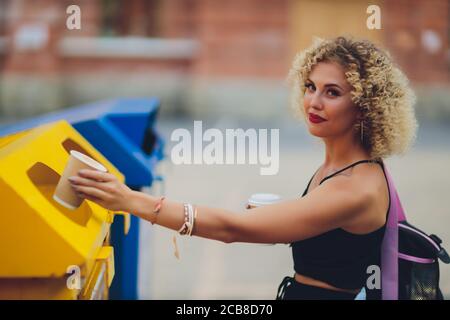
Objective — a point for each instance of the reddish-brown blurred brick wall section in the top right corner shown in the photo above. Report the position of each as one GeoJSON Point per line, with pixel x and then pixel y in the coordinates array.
{"type": "Point", "coordinates": [417, 35]}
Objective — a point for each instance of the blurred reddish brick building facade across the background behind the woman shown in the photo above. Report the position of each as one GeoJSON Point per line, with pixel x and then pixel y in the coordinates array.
{"type": "Point", "coordinates": [200, 56]}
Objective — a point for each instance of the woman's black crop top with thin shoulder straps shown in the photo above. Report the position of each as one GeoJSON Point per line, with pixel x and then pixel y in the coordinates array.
{"type": "Point", "coordinates": [338, 257]}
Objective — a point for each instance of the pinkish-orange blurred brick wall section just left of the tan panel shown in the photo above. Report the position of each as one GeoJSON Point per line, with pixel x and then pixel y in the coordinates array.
{"type": "Point", "coordinates": [243, 38]}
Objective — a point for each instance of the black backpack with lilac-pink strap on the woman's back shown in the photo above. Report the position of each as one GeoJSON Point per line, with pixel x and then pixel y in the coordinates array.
{"type": "Point", "coordinates": [409, 257]}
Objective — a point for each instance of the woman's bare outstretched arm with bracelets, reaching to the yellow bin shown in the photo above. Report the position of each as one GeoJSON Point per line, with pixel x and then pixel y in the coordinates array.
{"type": "Point", "coordinates": [329, 206]}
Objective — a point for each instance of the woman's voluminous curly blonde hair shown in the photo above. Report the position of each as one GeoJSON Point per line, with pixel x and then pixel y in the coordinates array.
{"type": "Point", "coordinates": [379, 89]}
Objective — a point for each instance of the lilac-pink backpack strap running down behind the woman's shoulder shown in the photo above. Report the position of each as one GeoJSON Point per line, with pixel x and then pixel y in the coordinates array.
{"type": "Point", "coordinates": [389, 248]}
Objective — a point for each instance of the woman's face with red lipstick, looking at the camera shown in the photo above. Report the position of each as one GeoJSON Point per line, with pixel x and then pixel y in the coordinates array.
{"type": "Point", "coordinates": [328, 106]}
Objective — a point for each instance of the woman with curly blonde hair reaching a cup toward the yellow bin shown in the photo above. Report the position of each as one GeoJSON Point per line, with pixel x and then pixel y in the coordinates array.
{"type": "Point", "coordinates": [360, 105]}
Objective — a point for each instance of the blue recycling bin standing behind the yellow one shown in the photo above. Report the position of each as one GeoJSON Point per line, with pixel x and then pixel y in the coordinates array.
{"type": "Point", "coordinates": [123, 130]}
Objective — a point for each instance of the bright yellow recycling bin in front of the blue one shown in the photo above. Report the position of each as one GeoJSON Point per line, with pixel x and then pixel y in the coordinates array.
{"type": "Point", "coordinates": [46, 250]}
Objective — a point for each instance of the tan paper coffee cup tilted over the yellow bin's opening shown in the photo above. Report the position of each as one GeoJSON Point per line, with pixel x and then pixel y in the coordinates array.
{"type": "Point", "coordinates": [64, 194]}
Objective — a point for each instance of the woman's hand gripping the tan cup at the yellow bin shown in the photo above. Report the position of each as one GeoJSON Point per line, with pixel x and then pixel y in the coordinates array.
{"type": "Point", "coordinates": [102, 188]}
